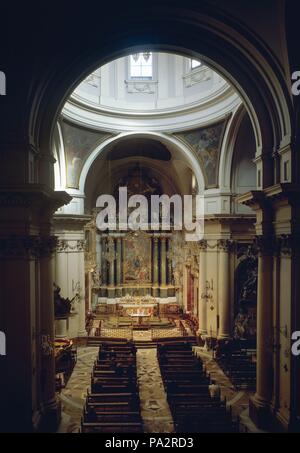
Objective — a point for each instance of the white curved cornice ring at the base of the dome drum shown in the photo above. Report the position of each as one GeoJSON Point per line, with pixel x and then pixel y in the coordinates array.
{"type": "Point", "coordinates": [213, 107]}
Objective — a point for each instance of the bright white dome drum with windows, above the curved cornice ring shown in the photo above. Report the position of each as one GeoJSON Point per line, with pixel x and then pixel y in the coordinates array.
{"type": "Point", "coordinates": [148, 82]}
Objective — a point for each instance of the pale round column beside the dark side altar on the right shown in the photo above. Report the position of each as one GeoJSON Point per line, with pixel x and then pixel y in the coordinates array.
{"type": "Point", "coordinates": [224, 290]}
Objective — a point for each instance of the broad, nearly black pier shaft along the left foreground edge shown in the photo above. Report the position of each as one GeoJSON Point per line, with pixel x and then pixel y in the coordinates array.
{"type": "Point", "coordinates": [19, 369]}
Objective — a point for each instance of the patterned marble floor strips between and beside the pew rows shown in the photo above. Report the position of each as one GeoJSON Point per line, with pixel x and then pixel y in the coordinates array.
{"type": "Point", "coordinates": [155, 410]}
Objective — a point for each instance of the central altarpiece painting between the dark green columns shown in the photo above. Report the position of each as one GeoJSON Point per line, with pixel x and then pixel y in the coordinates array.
{"type": "Point", "coordinates": [137, 259]}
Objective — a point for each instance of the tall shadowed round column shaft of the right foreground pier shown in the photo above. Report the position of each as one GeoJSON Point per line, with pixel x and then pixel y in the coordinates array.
{"type": "Point", "coordinates": [260, 404]}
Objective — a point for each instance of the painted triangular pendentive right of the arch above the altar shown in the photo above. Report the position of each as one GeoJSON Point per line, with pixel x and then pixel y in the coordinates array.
{"type": "Point", "coordinates": [207, 143]}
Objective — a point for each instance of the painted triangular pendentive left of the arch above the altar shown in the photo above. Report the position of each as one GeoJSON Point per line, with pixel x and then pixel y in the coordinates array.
{"type": "Point", "coordinates": [78, 144]}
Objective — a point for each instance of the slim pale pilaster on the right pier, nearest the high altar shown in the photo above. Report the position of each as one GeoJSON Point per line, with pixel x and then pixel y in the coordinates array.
{"type": "Point", "coordinates": [202, 289]}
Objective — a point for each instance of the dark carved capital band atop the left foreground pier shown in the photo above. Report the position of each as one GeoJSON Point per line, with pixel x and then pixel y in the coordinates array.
{"type": "Point", "coordinates": [28, 246]}
